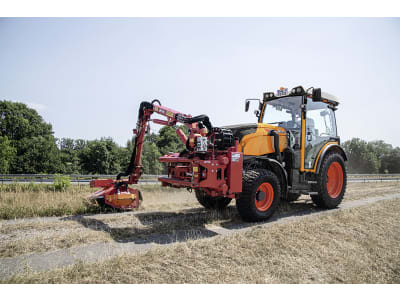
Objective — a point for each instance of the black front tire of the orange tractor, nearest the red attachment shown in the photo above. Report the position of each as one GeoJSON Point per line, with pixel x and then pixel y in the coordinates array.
{"type": "Point", "coordinates": [246, 203]}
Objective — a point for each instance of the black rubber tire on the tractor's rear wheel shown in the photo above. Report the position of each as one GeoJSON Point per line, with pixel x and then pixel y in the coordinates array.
{"type": "Point", "coordinates": [326, 199]}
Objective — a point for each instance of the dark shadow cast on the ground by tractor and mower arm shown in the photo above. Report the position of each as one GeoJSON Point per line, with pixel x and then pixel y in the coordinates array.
{"type": "Point", "coordinates": [189, 224]}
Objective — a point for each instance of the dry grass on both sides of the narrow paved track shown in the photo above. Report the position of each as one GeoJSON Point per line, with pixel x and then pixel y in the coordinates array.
{"type": "Point", "coordinates": [357, 245]}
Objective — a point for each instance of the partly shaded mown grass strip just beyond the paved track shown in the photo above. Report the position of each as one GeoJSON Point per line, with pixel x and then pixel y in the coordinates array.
{"type": "Point", "coordinates": [147, 223]}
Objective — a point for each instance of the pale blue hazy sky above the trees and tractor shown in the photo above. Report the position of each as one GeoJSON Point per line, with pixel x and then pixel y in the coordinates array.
{"type": "Point", "coordinates": [87, 76]}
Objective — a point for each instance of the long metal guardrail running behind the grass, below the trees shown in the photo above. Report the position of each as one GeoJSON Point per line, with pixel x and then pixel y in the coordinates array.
{"type": "Point", "coordinates": [151, 178]}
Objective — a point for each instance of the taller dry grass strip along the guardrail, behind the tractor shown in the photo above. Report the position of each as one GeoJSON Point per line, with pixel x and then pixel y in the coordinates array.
{"type": "Point", "coordinates": [41, 200]}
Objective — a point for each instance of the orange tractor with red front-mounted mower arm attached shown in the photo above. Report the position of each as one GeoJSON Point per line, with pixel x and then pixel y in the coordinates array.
{"type": "Point", "coordinates": [292, 150]}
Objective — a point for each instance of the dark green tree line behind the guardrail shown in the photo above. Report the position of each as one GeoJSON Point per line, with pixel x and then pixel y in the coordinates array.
{"type": "Point", "coordinates": [28, 146]}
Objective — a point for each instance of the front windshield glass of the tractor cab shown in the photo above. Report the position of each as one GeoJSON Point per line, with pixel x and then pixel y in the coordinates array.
{"type": "Point", "coordinates": [284, 112]}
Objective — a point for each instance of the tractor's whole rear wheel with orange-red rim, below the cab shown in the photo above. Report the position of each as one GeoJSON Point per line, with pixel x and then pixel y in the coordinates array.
{"type": "Point", "coordinates": [331, 182]}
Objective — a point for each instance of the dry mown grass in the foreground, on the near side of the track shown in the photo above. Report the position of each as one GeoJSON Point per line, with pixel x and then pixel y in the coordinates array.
{"type": "Point", "coordinates": [360, 245]}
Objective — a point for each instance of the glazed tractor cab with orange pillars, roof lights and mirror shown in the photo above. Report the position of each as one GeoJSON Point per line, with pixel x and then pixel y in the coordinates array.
{"type": "Point", "coordinates": [307, 118]}
